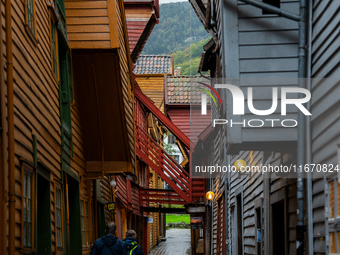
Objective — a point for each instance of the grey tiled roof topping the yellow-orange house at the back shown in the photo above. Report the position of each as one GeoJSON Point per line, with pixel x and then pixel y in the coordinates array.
{"type": "Point", "coordinates": [153, 64]}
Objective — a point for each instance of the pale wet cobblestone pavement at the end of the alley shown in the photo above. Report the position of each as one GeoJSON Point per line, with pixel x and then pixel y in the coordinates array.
{"type": "Point", "coordinates": [177, 243]}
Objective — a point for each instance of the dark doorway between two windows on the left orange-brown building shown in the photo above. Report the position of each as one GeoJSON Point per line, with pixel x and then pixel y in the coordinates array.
{"type": "Point", "coordinates": [43, 216]}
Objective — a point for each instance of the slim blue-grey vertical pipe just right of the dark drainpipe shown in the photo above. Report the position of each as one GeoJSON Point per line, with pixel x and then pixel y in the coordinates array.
{"type": "Point", "coordinates": [308, 136]}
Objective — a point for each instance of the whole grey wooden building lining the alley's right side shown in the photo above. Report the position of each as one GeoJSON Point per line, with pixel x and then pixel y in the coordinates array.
{"type": "Point", "coordinates": [259, 47]}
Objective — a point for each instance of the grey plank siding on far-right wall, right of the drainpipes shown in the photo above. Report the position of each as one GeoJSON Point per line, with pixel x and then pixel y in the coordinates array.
{"type": "Point", "coordinates": [324, 107]}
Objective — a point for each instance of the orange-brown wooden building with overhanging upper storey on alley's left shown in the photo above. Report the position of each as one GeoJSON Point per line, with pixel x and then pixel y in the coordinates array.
{"type": "Point", "coordinates": [70, 59]}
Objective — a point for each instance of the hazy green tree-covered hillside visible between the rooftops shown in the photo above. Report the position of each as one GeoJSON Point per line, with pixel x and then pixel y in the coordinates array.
{"type": "Point", "coordinates": [180, 32]}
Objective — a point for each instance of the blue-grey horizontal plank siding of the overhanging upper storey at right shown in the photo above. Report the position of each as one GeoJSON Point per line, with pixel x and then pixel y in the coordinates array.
{"type": "Point", "coordinates": [261, 47]}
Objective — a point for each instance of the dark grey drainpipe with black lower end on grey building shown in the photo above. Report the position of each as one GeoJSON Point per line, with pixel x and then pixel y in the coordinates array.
{"type": "Point", "coordinates": [300, 227]}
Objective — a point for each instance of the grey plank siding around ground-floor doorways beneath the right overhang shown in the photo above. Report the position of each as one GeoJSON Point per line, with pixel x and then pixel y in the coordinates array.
{"type": "Point", "coordinates": [251, 188]}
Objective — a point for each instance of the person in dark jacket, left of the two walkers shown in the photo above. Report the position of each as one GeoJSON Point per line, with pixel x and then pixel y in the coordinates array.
{"type": "Point", "coordinates": [109, 244]}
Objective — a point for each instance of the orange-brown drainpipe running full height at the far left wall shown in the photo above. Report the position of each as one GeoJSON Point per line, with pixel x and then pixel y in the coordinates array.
{"type": "Point", "coordinates": [10, 114]}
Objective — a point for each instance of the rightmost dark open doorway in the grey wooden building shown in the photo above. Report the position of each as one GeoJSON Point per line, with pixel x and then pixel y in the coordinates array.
{"type": "Point", "coordinates": [278, 228]}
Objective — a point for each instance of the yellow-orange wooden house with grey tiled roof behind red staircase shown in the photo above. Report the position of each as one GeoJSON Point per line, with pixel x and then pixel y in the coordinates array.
{"type": "Point", "coordinates": [150, 72]}
